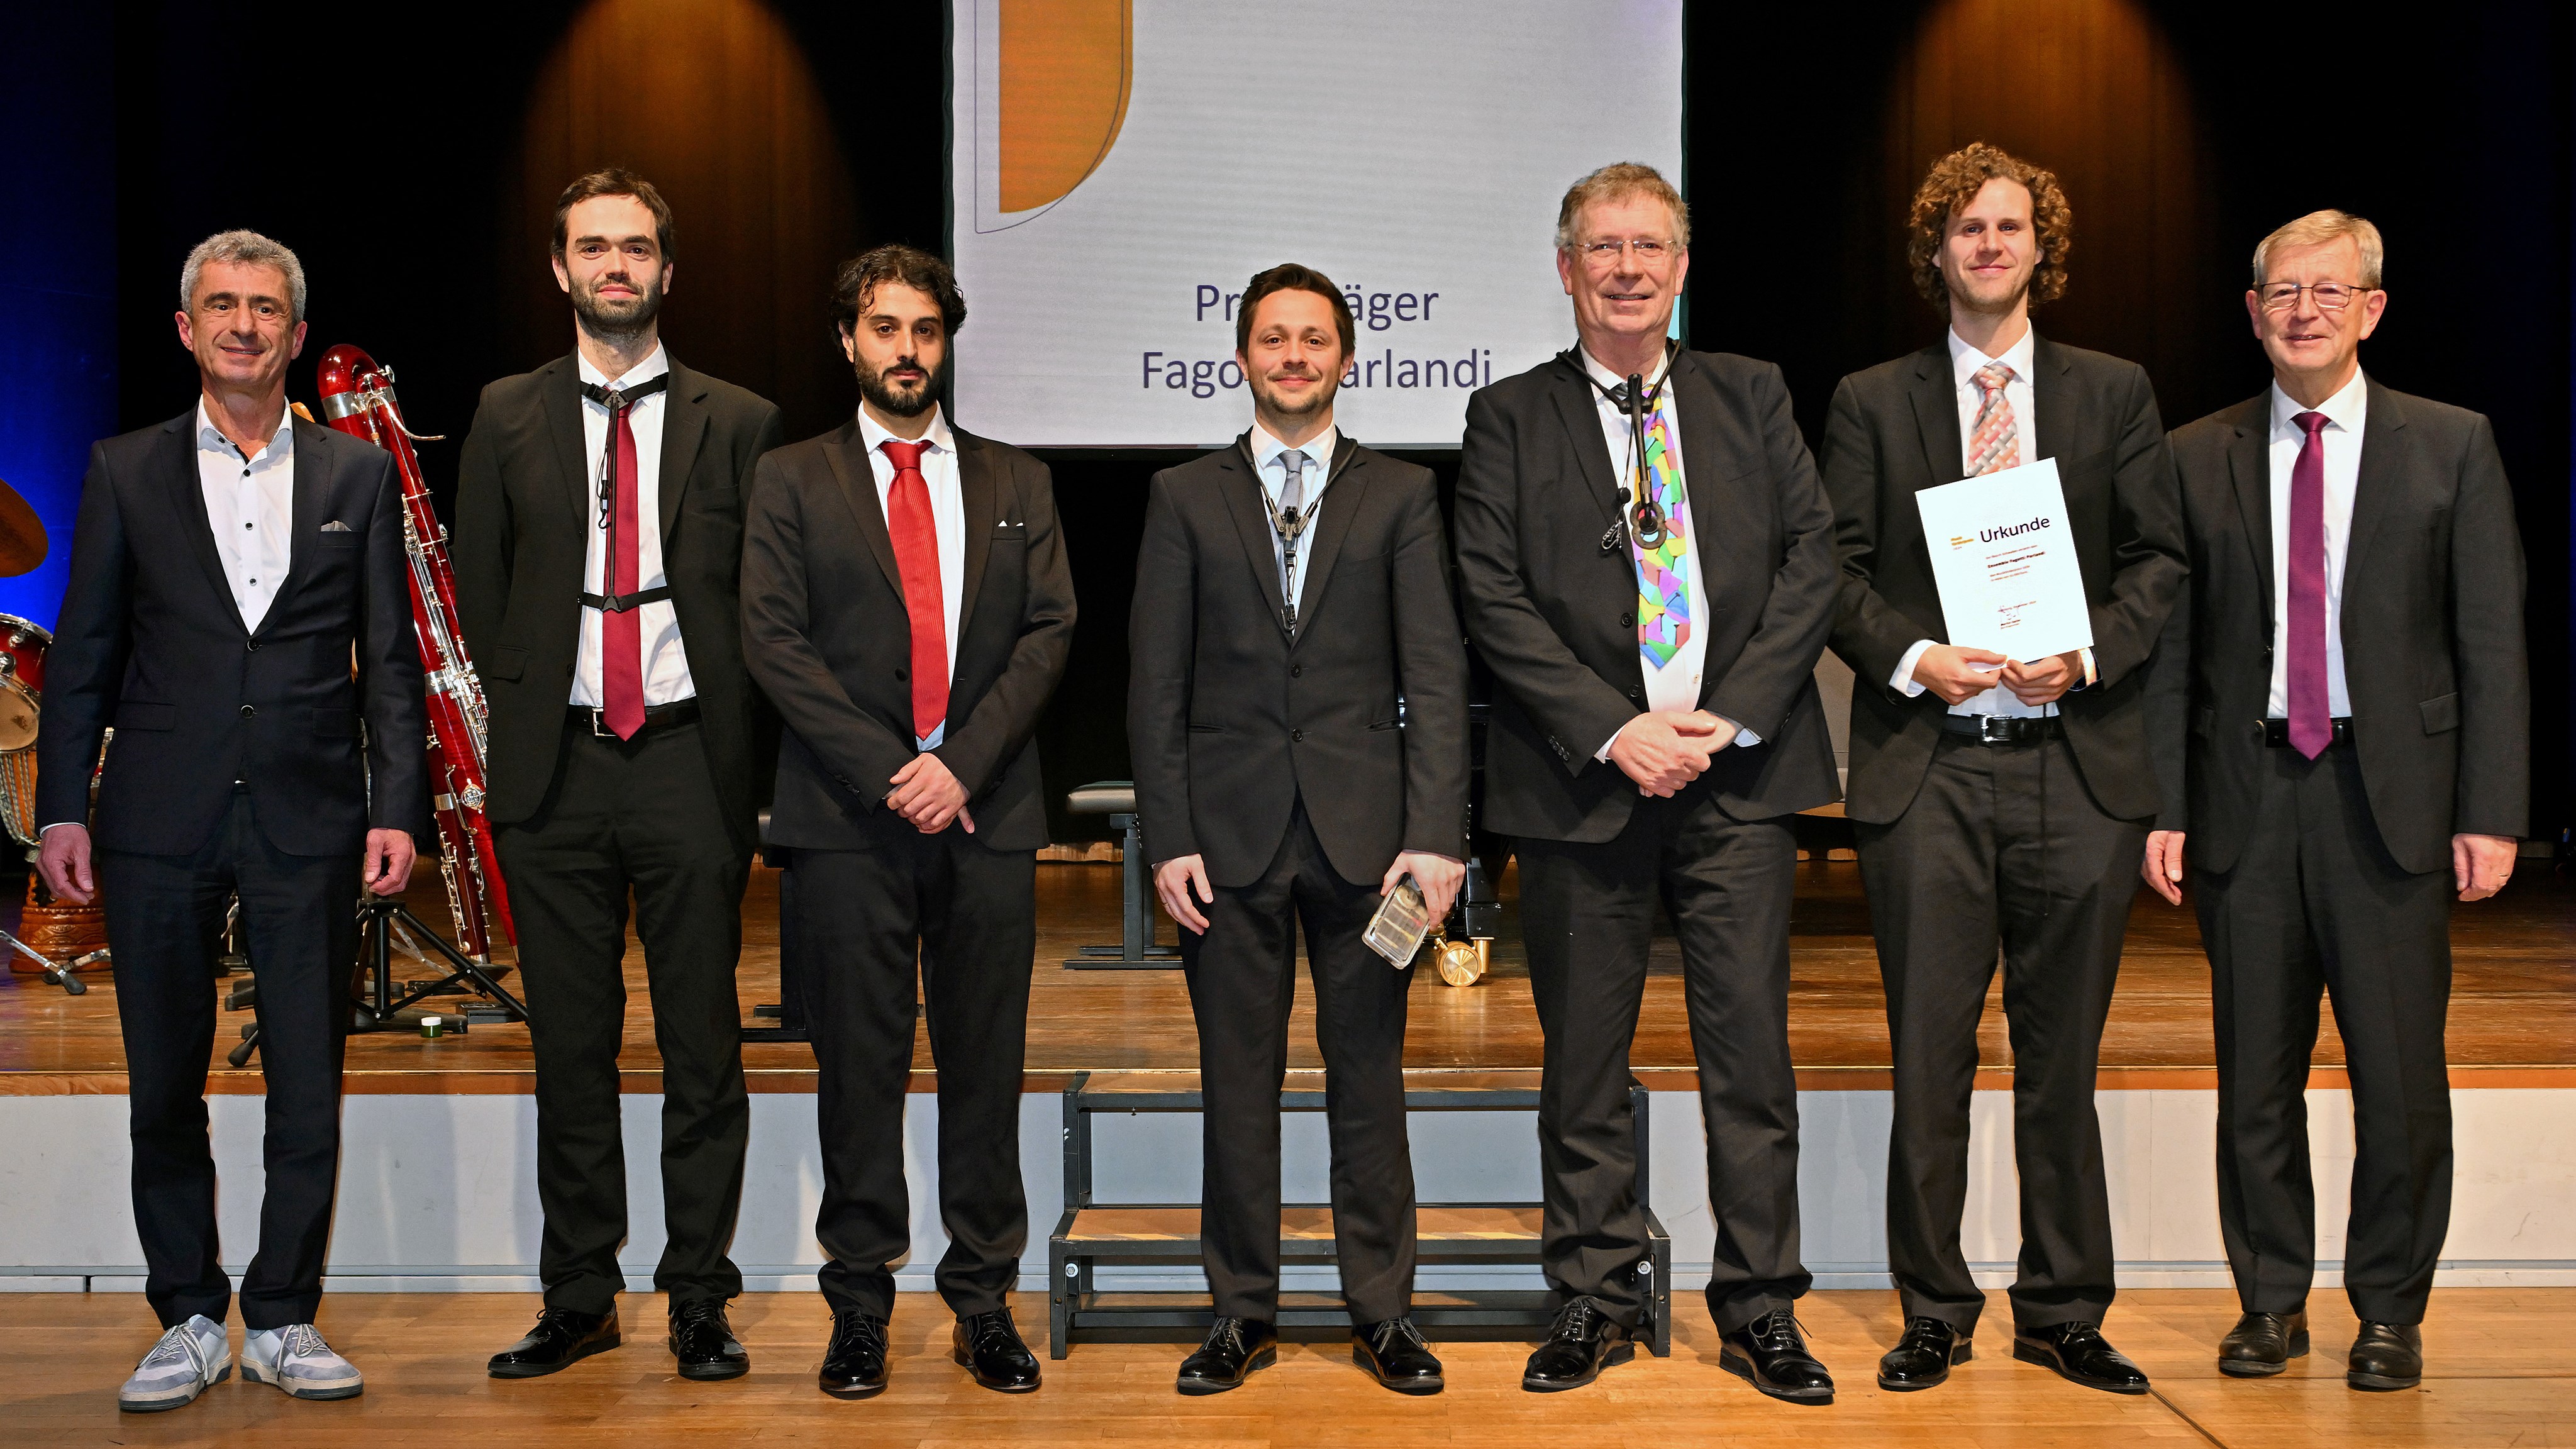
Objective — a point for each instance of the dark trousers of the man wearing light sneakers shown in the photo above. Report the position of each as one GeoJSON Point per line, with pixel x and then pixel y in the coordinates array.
{"type": "Point", "coordinates": [300, 927]}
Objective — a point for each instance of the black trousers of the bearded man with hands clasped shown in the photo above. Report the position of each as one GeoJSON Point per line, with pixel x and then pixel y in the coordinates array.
{"type": "Point", "coordinates": [970, 919]}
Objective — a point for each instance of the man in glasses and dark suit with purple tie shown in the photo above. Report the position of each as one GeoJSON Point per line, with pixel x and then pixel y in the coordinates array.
{"type": "Point", "coordinates": [2343, 734]}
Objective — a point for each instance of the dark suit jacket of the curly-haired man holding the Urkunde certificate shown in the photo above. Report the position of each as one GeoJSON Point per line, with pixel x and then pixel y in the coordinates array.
{"type": "Point", "coordinates": [1892, 434]}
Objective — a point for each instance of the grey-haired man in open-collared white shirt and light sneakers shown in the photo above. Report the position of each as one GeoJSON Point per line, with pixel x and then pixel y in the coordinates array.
{"type": "Point", "coordinates": [228, 569]}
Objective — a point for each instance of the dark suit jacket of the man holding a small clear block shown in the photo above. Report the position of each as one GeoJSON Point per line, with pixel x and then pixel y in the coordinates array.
{"type": "Point", "coordinates": [1230, 721]}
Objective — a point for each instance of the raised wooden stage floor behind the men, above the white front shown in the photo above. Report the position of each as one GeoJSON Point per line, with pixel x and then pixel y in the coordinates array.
{"type": "Point", "coordinates": [2513, 1017]}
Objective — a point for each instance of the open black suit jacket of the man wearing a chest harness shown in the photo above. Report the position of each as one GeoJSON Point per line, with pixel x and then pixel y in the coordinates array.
{"type": "Point", "coordinates": [522, 545]}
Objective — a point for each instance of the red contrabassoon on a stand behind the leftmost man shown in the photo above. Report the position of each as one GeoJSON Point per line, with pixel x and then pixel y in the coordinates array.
{"type": "Point", "coordinates": [359, 401]}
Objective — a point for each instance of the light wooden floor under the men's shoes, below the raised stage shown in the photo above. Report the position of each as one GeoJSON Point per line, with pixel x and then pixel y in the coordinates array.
{"type": "Point", "coordinates": [2495, 1376]}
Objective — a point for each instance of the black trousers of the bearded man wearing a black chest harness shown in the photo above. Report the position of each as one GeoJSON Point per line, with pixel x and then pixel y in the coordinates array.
{"type": "Point", "coordinates": [632, 816]}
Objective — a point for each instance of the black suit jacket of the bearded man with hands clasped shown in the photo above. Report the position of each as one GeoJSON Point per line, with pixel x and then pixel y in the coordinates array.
{"type": "Point", "coordinates": [831, 641]}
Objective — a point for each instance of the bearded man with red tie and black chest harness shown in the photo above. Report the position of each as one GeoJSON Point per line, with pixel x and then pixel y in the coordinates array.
{"type": "Point", "coordinates": [599, 548]}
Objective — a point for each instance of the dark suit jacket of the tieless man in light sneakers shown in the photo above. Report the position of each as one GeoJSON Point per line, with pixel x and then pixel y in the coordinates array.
{"type": "Point", "coordinates": [153, 643]}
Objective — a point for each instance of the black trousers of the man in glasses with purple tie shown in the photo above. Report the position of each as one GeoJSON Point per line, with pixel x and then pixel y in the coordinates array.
{"type": "Point", "coordinates": [2320, 906]}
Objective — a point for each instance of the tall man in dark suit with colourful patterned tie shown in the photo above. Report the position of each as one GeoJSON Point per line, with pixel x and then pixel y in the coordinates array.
{"type": "Point", "coordinates": [1653, 612]}
